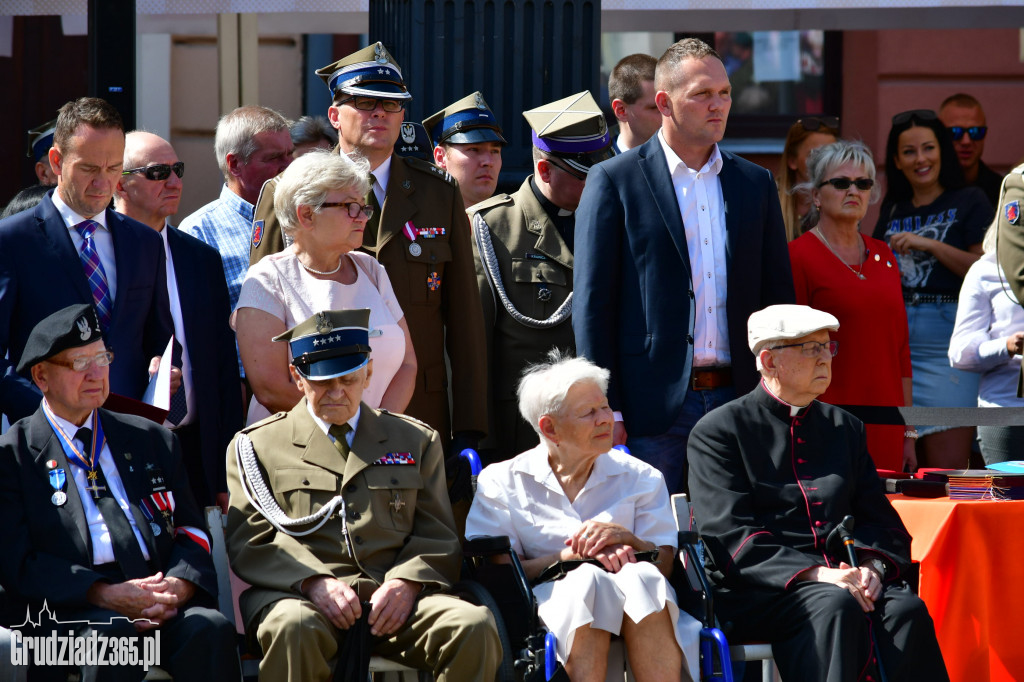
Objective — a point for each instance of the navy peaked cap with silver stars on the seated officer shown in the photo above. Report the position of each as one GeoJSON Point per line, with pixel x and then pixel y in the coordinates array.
{"type": "Point", "coordinates": [330, 345]}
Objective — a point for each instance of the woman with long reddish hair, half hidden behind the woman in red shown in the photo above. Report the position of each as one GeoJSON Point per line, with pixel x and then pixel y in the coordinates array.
{"type": "Point", "coordinates": [805, 136]}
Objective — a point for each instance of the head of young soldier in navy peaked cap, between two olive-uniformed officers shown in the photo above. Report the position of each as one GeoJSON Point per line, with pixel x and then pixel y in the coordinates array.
{"type": "Point", "coordinates": [468, 145]}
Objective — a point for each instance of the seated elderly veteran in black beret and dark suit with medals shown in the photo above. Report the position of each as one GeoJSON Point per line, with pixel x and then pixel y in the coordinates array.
{"type": "Point", "coordinates": [100, 521]}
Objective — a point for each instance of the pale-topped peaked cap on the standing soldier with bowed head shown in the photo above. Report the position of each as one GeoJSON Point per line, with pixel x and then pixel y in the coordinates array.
{"type": "Point", "coordinates": [573, 130]}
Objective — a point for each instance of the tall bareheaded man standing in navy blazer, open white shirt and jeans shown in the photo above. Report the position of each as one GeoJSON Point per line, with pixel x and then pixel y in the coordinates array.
{"type": "Point", "coordinates": [677, 244]}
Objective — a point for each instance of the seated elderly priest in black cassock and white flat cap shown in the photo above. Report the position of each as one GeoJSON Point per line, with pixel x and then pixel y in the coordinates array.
{"type": "Point", "coordinates": [772, 476]}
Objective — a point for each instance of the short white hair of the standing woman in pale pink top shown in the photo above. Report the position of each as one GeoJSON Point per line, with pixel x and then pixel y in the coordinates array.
{"type": "Point", "coordinates": [309, 181]}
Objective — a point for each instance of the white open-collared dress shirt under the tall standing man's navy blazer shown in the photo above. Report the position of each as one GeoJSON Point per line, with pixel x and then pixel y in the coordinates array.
{"type": "Point", "coordinates": [703, 209]}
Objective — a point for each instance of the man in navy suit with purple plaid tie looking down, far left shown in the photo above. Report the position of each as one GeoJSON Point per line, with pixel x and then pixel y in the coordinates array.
{"type": "Point", "coordinates": [71, 249]}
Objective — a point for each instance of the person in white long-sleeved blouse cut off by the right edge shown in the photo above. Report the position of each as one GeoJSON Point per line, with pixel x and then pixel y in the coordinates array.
{"type": "Point", "coordinates": [989, 338]}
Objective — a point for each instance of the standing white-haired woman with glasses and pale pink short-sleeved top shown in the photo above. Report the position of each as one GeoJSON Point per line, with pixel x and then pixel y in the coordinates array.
{"type": "Point", "coordinates": [320, 203]}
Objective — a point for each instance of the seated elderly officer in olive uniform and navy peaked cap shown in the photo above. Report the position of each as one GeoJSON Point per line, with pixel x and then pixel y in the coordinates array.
{"type": "Point", "coordinates": [339, 513]}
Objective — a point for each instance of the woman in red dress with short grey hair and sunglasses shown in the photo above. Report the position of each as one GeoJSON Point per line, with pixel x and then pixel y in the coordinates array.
{"type": "Point", "coordinates": [856, 278]}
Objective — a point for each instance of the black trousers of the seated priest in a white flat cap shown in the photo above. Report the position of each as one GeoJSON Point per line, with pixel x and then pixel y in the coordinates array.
{"type": "Point", "coordinates": [820, 633]}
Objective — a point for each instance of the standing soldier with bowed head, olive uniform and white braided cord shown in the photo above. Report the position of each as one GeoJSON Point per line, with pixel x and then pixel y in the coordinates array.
{"type": "Point", "coordinates": [525, 259]}
